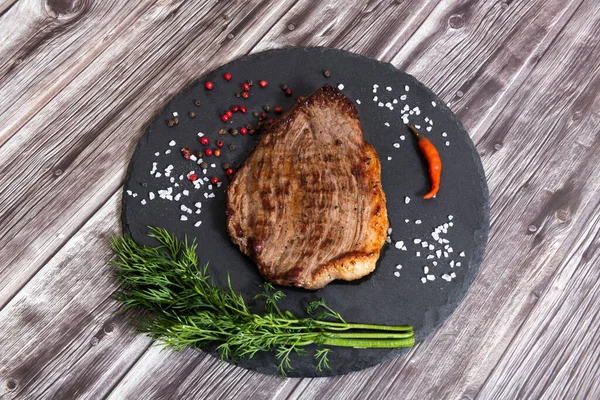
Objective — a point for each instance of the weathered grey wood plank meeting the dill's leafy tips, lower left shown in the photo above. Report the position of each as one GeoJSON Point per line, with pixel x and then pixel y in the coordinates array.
{"type": "Point", "coordinates": [60, 337]}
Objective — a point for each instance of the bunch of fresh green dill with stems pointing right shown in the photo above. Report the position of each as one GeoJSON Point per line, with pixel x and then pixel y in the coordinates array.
{"type": "Point", "coordinates": [186, 309]}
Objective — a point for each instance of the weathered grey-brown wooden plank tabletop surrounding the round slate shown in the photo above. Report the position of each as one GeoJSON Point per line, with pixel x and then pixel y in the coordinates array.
{"type": "Point", "coordinates": [80, 80]}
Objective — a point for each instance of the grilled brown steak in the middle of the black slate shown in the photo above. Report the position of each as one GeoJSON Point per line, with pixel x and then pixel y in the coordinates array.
{"type": "Point", "coordinates": [307, 205]}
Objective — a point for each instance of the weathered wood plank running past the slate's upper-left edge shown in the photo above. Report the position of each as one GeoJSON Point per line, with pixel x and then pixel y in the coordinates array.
{"type": "Point", "coordinates": [100, 110]}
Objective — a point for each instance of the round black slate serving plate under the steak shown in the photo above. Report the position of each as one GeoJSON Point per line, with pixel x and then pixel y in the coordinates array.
{"type": "Point", "coordinates": [382, 297]}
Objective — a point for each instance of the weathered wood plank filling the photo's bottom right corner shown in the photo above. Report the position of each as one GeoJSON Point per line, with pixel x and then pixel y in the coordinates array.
{"type": "Point", "coordinates": [565, 328]}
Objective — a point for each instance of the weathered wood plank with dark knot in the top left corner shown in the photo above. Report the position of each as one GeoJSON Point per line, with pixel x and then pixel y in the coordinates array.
{"type": "Point", "coordinates": [48, 44]}
